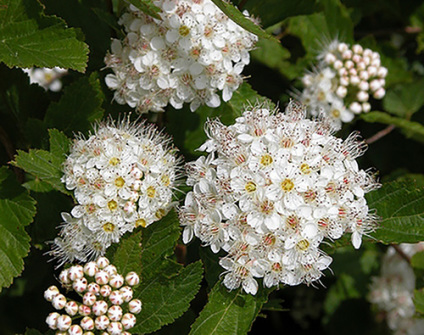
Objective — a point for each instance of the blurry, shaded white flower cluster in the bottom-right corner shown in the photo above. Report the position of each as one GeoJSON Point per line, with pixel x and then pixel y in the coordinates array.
{"type": "Point", "coordinates": [393, 291]}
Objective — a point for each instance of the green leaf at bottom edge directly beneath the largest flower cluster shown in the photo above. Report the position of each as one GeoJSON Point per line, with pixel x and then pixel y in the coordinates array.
{"type": "Point", "coordinates": [229, 312]}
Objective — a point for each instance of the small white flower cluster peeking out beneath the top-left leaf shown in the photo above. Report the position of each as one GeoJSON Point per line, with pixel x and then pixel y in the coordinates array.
{"type": "Point", "coordinates": [49, 79]}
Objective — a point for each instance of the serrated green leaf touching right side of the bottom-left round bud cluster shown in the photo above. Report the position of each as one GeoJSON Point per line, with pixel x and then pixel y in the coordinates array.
{"type": "Point", "coordinates": [165, 299]}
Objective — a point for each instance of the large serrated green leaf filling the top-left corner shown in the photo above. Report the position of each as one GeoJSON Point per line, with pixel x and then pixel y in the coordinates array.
{"type": "Point", "coordinates": [29, 38]}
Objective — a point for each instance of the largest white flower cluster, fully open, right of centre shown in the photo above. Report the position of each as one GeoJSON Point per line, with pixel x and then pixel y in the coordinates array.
{"type": "Point", "coordinates": [272, 188]}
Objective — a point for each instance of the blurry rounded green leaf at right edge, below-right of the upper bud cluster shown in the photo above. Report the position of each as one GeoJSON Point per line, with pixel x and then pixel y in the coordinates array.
{"type": "Point", "coordinates": [404, 100]}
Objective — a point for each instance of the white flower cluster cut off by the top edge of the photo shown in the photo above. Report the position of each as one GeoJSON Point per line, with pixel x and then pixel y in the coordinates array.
{"type": "Point", "coordinates": [187, 56]}
